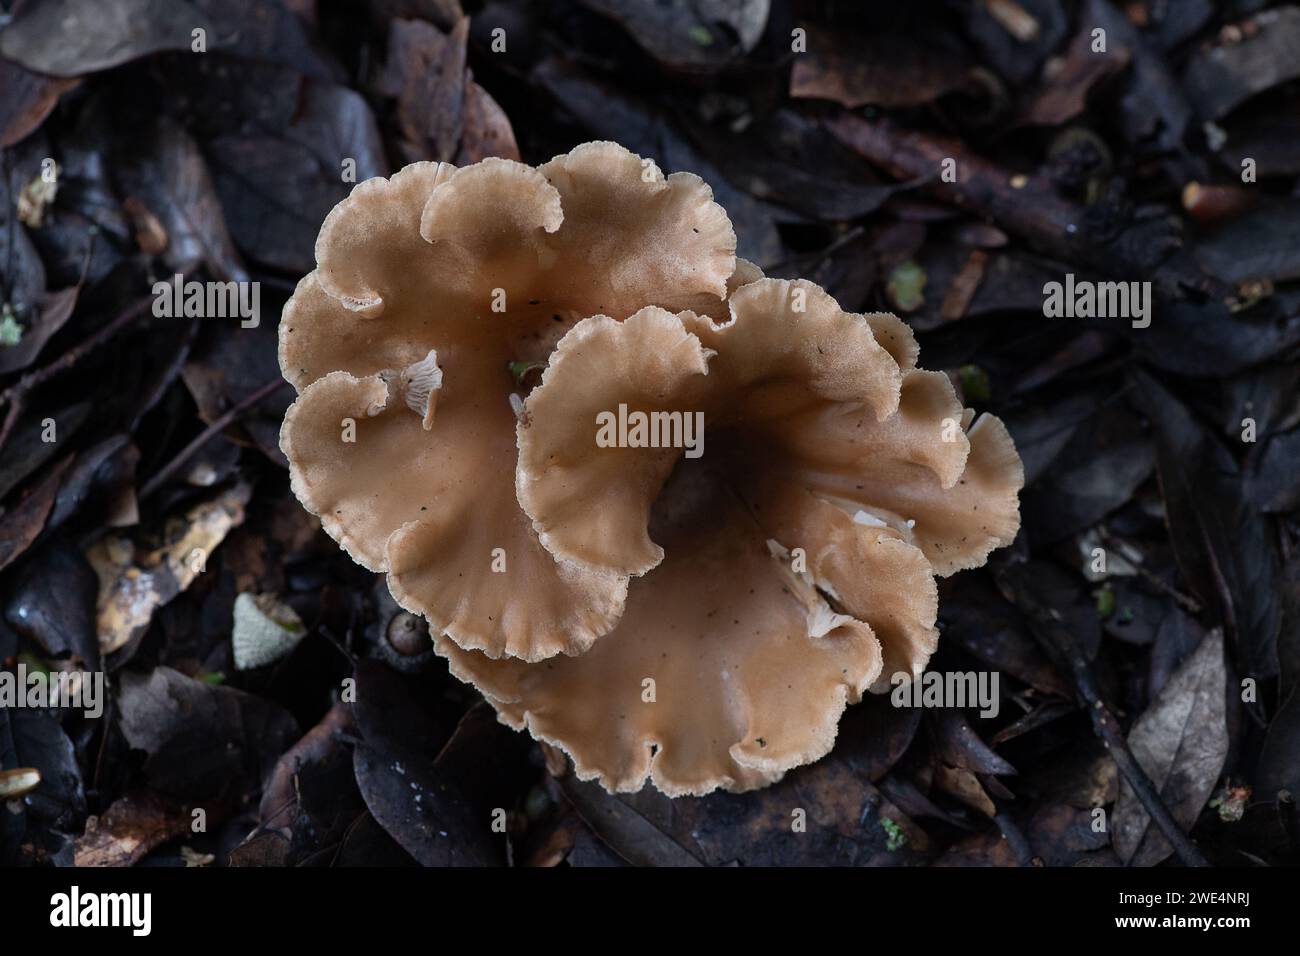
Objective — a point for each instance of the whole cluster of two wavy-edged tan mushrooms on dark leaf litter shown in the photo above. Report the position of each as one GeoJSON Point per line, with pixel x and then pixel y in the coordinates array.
{"type": "Point", "coordinates": [661, 608]}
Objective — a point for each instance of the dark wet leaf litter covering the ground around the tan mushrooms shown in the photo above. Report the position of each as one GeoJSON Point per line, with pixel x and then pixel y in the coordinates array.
{"type": "Point", "coordinates": [1125, 165]}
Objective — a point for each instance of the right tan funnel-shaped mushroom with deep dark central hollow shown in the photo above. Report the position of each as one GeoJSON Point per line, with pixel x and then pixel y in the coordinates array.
{"type": "Point", "coordinates": [783, 573]}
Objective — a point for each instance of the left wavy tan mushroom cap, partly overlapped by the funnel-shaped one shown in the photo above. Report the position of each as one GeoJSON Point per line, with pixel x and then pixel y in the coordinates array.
{"type": "Point", "coordinates": [428, 287]}
